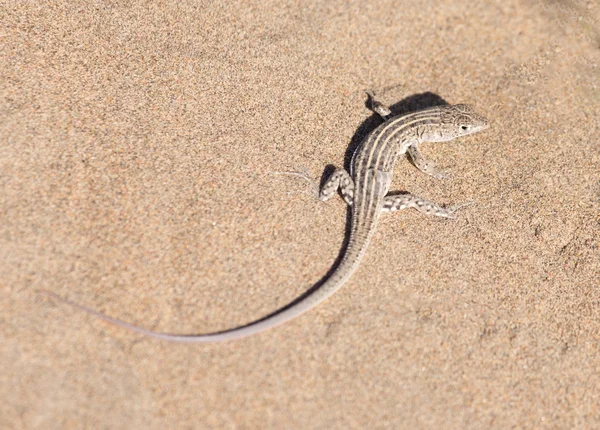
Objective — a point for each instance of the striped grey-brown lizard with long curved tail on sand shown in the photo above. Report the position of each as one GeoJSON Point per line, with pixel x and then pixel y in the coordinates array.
{"type": "Point", "coordinates": [365, 189]}
